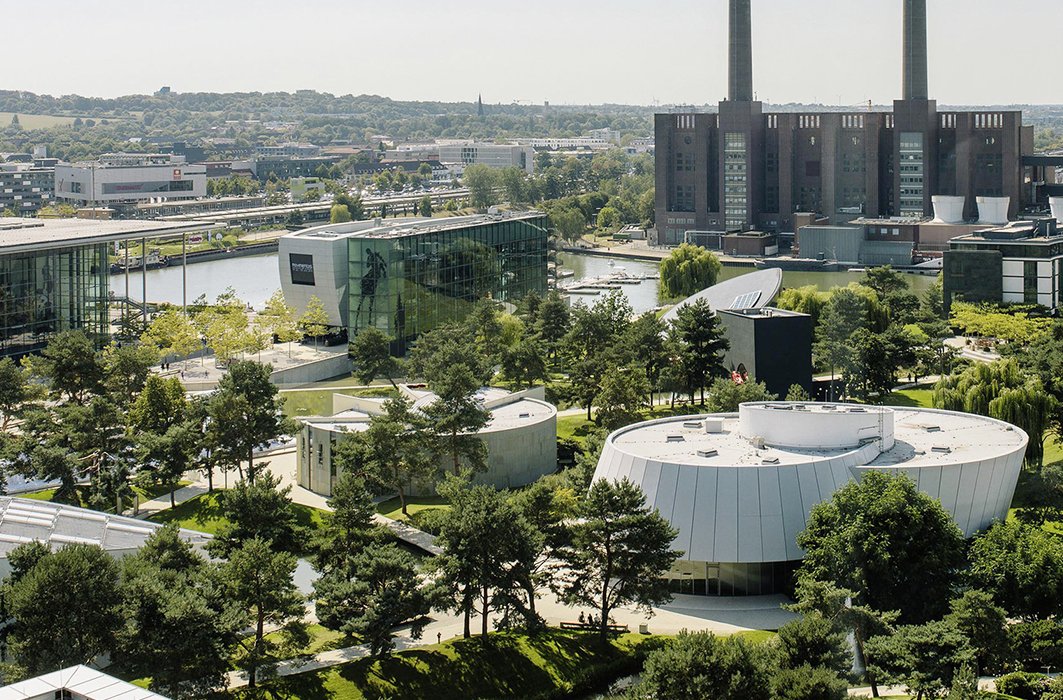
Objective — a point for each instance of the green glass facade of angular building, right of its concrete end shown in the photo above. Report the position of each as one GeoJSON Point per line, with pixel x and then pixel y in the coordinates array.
{"type": "Point", "coordinates": [408, 284]}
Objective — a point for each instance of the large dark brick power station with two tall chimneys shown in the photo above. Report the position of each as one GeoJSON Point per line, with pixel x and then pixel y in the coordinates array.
{"type": "Point", "coordinates": [747, 168]}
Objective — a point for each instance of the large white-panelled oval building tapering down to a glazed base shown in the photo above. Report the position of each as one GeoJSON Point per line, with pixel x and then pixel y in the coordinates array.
{"type": "Point", "coordinates": [739, 488]}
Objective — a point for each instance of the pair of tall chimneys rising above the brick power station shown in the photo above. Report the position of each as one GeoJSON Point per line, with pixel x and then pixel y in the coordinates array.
{"type": "Point", "coordinates": [740, 52]}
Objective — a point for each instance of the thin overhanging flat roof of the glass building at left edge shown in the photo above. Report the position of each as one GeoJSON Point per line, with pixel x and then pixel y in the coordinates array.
{"type": "Point", "coordinates": [28, 235]}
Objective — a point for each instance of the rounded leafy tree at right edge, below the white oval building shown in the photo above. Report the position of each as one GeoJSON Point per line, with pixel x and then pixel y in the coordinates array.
{"type": "Point", "coordinates": [1022, 568]}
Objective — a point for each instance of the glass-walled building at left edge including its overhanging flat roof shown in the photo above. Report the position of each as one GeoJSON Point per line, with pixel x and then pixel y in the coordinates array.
{"type": "Point", "coordinates": [56, 277]}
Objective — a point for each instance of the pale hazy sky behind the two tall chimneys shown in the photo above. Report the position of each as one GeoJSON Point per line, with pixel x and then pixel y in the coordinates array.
{"type": "Point", "coordinates": [571, 52]}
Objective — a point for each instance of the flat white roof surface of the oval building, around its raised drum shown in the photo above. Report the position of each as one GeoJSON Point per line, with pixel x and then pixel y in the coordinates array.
{"type": "Point", "coordinates": [923, 438]}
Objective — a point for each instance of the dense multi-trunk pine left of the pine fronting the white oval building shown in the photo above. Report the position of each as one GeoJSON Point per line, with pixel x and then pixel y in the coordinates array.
{"type": "Point", "coordinates": [485, 542]}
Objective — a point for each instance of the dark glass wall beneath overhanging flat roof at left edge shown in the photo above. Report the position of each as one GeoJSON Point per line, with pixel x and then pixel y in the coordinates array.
{"type": "Point", "coordinates": [45, 293]}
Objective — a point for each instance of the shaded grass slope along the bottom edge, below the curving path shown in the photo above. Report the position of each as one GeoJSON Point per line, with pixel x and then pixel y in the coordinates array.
{"type": "Point", "coordinates": [551, 664]}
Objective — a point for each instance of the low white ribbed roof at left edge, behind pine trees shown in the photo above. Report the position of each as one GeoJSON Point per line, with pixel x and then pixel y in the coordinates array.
{"type": "Point", "coordinates": [25, 520]}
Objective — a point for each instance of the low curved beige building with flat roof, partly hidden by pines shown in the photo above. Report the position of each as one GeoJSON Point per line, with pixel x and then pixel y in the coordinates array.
{"type": "Point", "coordinates": [521, 436]}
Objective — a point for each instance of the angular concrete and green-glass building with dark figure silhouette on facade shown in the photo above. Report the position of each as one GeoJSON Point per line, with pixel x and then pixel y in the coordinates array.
{"type": "Point", "coordinates": [408, 277]}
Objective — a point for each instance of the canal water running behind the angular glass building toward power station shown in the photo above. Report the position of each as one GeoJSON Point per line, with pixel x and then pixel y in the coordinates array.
{"type": "Point", "coordinates": [256, 279]}
